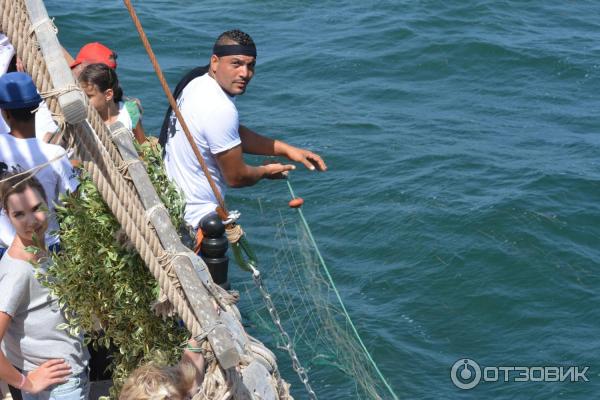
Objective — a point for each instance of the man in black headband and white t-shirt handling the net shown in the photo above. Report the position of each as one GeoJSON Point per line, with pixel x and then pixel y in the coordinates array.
{"type": "Point", "coordinates": [207, 103]}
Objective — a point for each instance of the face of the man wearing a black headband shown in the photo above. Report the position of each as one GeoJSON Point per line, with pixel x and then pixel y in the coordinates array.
{"type": "Point", "coordinates": [233, 73]}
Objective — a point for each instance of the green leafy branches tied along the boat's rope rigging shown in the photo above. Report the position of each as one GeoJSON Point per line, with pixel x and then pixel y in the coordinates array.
{"type": "Point", "coordinates": [102, 283]}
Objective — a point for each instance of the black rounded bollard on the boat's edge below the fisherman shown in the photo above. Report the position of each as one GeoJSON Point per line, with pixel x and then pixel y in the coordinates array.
{"type": "Point", "coordinates": [213, 248]}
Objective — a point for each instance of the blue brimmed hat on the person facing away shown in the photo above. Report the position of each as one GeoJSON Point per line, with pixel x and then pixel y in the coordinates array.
{"type": "Point", "coordinates": [17, 90]}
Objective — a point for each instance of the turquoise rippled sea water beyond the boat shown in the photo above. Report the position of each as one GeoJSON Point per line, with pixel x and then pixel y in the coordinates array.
{"type": "Point", "coordinates": [460, 215]}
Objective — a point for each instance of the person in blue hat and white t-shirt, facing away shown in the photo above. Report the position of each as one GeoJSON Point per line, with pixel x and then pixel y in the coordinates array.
{"type": "Point", "coordinates": [21, 150]}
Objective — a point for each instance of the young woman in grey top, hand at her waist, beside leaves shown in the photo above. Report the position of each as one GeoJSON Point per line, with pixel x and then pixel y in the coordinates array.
{"type": "Point", "coordinates": [53, 362]}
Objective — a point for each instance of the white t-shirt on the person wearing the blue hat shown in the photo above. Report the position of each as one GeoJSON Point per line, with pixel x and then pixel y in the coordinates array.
{"type": "Point", "coordinates": [56, 178]}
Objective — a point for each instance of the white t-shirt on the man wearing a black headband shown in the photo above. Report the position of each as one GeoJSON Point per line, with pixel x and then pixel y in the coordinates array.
{"type": "Point", "coordinates": [212, 118]}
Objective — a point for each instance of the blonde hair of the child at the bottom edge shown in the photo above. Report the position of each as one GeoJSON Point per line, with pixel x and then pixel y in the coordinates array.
{"type": "Point", "coordinates": [151, 382]}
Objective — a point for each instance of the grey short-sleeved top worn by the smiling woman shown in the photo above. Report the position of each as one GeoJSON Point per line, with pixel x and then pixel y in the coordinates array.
{"type": "Point", "coordinates": [32, 337]}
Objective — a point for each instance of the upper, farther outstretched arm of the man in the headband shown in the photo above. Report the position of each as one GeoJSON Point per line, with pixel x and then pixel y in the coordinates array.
{"type": "Point", "coordinates": [254, 143]}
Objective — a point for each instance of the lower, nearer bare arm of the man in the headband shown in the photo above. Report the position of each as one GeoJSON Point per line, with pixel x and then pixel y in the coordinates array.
{"type": "Point", "coordinates": [239, 174]}
